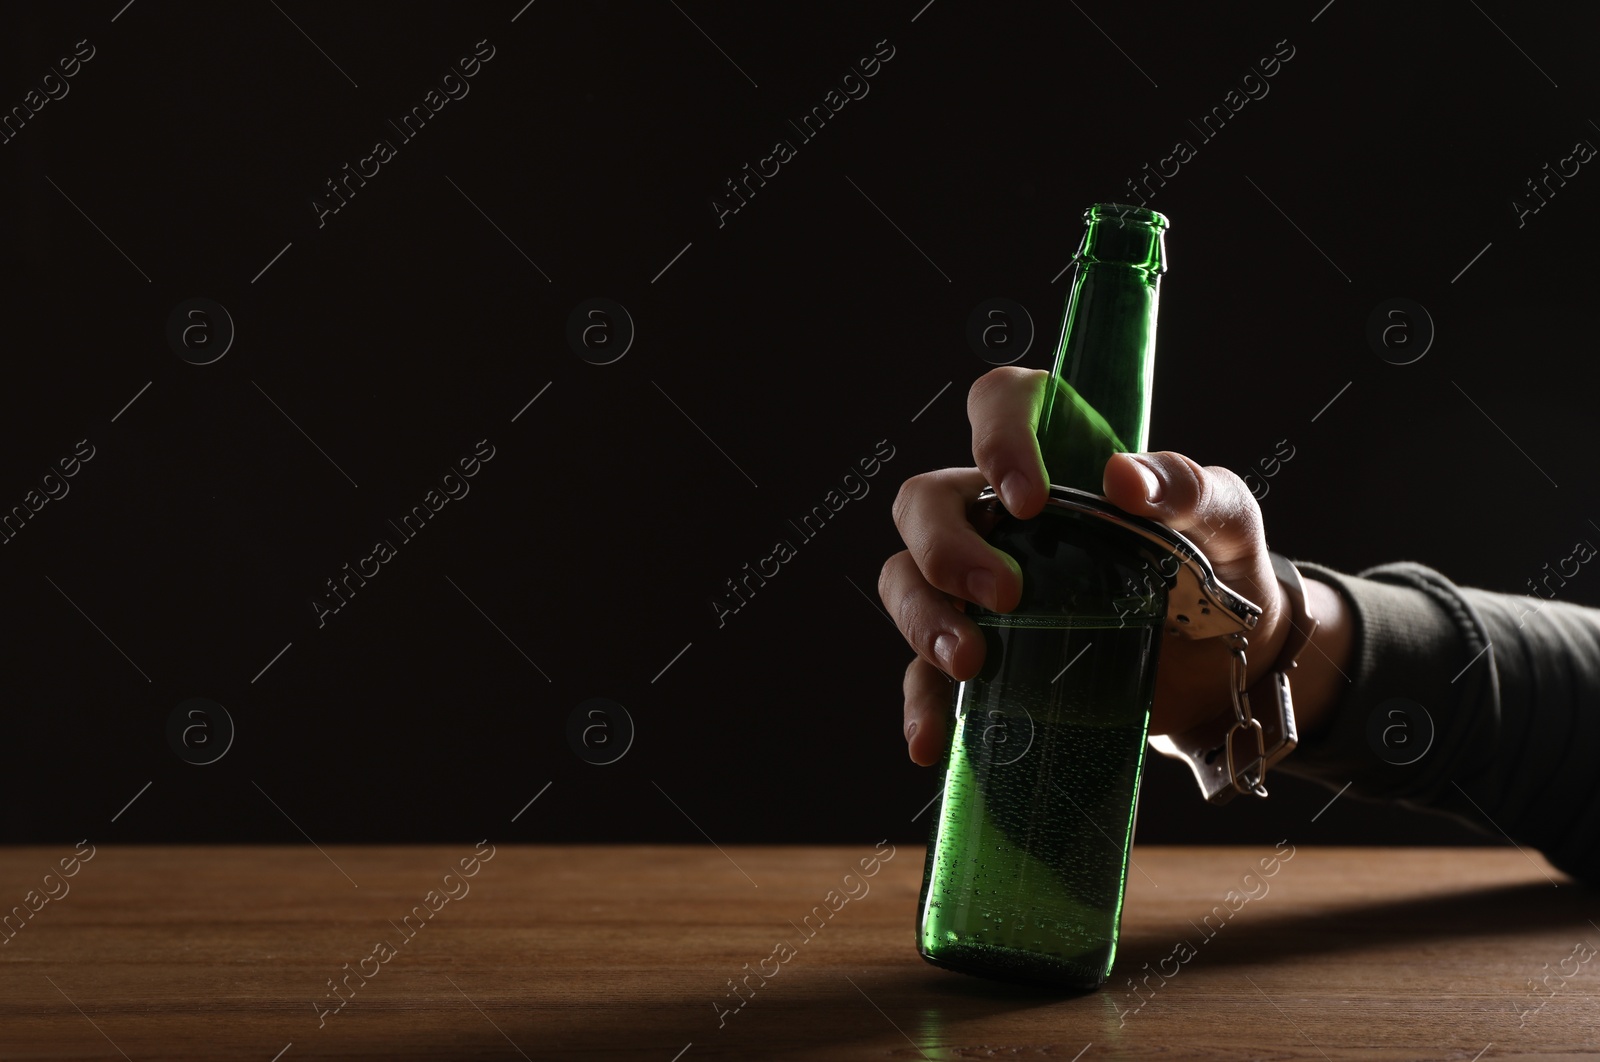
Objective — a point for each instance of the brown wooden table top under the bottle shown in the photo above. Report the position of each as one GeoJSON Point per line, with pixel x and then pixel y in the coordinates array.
{"type": "Point", "coordinates": [626, 952]}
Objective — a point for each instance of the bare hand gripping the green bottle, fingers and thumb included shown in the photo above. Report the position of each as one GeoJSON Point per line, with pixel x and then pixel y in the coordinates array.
{"type": "Point", "coordinates": [948, 564]}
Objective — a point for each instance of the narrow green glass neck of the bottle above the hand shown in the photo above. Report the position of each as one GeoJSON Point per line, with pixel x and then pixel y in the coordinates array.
{"type": "Point", "coordinates": [1098, 399]}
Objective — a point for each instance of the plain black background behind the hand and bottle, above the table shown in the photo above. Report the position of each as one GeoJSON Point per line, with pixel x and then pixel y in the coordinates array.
{"type": "Point", "coordinates": [814, 324]}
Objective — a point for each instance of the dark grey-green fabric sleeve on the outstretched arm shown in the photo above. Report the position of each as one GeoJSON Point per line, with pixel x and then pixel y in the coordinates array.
{"type": "Point", "coordinates": [1513, 687]}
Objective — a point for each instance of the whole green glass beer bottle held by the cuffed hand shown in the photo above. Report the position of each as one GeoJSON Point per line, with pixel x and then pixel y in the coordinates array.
{"type": "Point", "coordinates": [1028, 856]}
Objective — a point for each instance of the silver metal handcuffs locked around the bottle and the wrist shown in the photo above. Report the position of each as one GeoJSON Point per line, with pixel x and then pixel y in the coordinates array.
{"type": "Point", "coordinates": [1231, 753]}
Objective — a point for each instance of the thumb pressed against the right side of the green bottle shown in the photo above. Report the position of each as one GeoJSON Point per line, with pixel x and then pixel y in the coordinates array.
{"type": "Point", "coordinates": [1210, 506]}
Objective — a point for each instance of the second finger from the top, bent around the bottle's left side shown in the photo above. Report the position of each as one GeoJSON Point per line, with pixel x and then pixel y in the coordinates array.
{"type": "Point", "coordinates": [930, 513]}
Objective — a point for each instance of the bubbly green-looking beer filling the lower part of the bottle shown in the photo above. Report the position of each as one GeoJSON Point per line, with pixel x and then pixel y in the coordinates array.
{"type": "Point", "coordinates": [1065, 853]}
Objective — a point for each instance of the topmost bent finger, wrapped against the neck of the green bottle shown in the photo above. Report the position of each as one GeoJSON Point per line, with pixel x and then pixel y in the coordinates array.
{"type": "Point", "coordinates": [1004, 409]}
